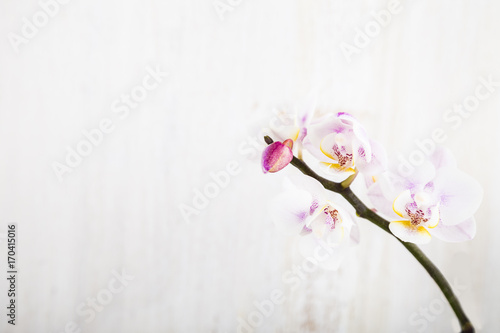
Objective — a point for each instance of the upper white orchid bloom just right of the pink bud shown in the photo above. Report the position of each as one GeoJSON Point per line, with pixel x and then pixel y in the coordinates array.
{"type": "Point", "coordinates": [342, 146]}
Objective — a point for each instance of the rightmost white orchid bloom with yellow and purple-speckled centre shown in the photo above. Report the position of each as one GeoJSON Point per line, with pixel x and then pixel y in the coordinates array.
{"type": "Point", "coordinates": [437, 199]}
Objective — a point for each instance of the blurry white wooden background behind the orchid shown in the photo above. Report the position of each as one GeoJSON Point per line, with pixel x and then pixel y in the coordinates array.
{"type": "Point", "coordinates": [120, 208]}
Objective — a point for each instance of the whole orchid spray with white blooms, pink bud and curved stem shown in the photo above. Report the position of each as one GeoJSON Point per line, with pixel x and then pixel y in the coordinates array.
{"type": "Point", "coordinates": [436, 200]}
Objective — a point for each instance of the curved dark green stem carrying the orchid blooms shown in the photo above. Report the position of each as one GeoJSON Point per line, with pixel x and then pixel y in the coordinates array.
{"type": "Point", "coordinates": [364, 212]}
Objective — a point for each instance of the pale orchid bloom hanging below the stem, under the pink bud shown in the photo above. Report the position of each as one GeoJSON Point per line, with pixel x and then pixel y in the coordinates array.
{"type": "Point", "coordinates": [324, 226]}
